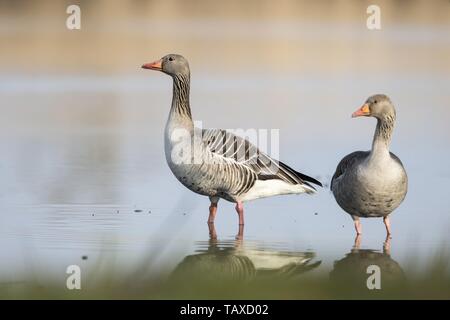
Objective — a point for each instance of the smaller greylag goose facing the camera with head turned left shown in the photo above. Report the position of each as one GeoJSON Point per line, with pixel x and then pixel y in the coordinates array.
{"type": "Point", "coordinates": [372, 183]}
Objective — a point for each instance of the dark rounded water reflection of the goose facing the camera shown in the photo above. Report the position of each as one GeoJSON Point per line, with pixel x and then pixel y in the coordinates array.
{"type": "Point", "coordinates": [351, 272]}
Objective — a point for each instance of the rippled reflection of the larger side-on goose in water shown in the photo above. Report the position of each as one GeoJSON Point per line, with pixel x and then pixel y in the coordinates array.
{"type": "Point", "coordinates": [238, 260]}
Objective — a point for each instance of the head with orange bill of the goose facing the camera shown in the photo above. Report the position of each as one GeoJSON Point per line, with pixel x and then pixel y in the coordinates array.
{"type": "Point", "coordinates": [378, 106]}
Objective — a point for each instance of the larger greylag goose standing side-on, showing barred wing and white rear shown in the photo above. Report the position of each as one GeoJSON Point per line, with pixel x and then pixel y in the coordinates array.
{"type": "Point", "coordinates": [217, 163]}
